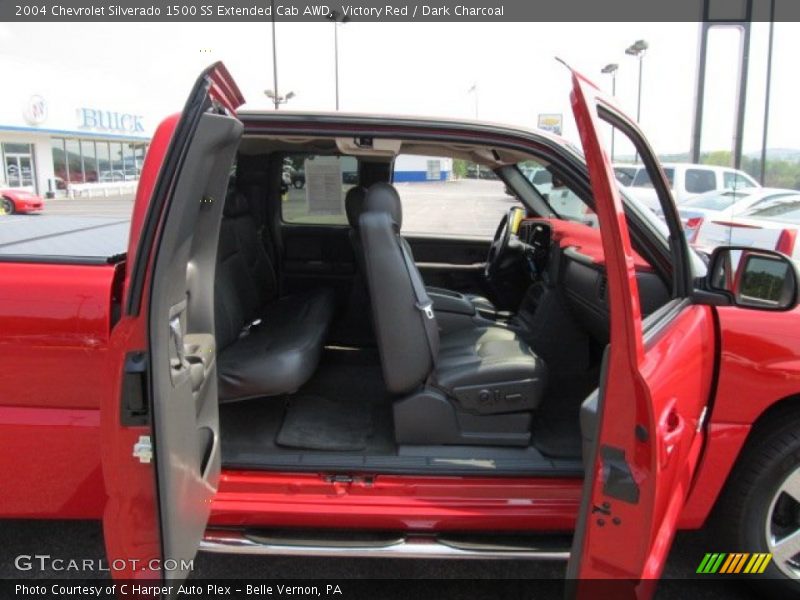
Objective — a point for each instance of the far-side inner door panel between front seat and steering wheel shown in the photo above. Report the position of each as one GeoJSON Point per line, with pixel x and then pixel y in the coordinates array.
{"type": "Point", "coordinates": [451, 263]}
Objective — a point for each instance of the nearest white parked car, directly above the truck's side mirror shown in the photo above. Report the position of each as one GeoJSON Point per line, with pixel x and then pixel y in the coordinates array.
{"type": "Point", "coordinates": [772, 225]}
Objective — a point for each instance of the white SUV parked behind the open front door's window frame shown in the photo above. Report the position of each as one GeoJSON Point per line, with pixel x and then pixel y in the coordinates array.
{"type": "Point", "coordinates": [688, 180]}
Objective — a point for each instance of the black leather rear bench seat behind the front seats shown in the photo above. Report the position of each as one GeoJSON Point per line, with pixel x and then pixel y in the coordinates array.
{"type": "Point", "coordinates": [267, 346]}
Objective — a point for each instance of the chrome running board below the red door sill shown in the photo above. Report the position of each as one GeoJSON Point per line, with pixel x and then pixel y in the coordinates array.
{"type": "Point", "coordinates": [237, 541]}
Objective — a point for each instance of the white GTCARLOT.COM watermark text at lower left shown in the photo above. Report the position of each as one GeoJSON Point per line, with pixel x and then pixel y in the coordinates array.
{"type": "Point", "coordinates": [46, 562]}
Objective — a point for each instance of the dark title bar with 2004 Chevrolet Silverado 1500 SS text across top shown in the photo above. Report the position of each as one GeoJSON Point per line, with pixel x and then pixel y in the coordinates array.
{"type": "Point", "coordinates": [394, 10]}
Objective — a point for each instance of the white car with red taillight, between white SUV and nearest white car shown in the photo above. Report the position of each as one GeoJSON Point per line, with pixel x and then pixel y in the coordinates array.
{"type": "Point", "coordinates": [723, 205]}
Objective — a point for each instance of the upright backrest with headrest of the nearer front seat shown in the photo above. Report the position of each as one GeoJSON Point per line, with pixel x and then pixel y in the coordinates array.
{"type": "Point", "coordinates": [408, 344]}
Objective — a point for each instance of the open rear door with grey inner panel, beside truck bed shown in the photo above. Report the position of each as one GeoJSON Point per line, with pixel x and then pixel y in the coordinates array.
{"type": "Point", "coordinates": [160, 430]}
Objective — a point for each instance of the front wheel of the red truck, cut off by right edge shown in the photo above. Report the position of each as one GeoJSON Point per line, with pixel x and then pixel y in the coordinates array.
{"type": "Point", "coordinates": [756, 513]}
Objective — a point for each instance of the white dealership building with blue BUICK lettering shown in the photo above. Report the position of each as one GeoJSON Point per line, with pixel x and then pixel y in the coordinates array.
{"type": "Point", "coordinates": [61, 142]}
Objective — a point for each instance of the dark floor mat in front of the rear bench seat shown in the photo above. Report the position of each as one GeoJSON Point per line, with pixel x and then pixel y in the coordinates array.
{"type": "Point", "coordinates": [315, 422]}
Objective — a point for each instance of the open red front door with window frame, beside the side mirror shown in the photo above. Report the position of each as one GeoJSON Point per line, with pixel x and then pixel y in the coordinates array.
{"type": "Point", "coordinates": [646, 423]}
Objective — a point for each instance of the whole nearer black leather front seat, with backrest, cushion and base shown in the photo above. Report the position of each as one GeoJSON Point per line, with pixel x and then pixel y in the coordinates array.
{"type": "Point", "coordinates": [477, 385]}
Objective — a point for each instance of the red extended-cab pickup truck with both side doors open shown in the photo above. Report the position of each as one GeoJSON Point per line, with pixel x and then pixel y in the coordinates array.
{"type": "Point", "coordinates": [241, 381]}
